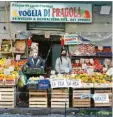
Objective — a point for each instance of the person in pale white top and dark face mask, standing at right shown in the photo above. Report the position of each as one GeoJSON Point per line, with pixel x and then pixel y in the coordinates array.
{"type": "Point", "coordinates": [63, 63]}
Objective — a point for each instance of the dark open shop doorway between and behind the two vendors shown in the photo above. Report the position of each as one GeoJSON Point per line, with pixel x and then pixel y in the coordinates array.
{"type": "Point", "coordinates": [46, 49]}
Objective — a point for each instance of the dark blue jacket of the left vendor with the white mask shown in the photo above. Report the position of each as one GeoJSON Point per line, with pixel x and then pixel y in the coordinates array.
{"type": "Point", "coordinates": [38, 64]}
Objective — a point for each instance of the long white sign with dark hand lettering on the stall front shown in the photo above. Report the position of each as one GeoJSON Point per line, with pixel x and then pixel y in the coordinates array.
{"type": "Point", "coordinates": [61, 83]}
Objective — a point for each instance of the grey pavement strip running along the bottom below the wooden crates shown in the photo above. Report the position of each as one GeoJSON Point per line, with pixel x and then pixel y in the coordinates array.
{"type": "Point", "coordinates": [46, 111]}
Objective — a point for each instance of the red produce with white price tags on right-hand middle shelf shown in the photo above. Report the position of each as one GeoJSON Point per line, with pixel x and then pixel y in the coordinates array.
{"type": "Point", "coordinates": [83, 64]}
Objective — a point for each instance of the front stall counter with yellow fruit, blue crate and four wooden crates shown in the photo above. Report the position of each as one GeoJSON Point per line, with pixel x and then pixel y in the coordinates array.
{"type": "Point", "coordinates": [70, 90]}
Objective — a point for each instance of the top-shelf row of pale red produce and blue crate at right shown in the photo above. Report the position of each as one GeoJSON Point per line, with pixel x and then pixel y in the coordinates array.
{"type": "Point", "coordinates": [90, 50]}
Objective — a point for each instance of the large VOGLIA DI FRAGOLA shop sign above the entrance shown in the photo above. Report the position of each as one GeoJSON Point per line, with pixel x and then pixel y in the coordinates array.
{"type": "Point", "coordinates": [50, 12]}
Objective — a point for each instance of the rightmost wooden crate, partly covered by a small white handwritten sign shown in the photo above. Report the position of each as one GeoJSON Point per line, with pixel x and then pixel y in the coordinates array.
{"type": "Point", "coordinates": [104, 91]}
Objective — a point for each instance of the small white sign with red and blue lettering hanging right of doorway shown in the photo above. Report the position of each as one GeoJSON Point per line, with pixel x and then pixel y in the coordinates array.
{"type": "Point", "coordinates": [71, 39]}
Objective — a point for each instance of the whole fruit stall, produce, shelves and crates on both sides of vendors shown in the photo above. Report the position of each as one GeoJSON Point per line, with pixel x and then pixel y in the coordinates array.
{"type": "Point", "coordinates": [88, 86]}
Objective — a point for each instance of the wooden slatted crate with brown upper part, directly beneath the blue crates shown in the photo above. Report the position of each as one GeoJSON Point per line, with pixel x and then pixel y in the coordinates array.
{"type": "Point", "coordinates": [38, 98]}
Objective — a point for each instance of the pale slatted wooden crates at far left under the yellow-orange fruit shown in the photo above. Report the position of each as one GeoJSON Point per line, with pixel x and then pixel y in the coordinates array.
{"type": "Point", "coordinates": [7, 97]}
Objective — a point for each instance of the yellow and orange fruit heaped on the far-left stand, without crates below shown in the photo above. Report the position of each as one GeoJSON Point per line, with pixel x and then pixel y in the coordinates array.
{"type": "Point", "coordinates": [9, 69]}
